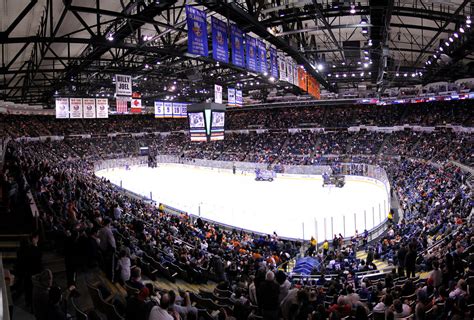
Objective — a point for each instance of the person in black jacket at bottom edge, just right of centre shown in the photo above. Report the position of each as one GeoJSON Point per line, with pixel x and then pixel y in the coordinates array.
{"type": "Point", "coordinates": [267, 296]}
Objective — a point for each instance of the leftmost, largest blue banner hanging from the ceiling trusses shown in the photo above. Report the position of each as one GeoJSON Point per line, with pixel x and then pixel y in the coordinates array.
{"type": "Point", "coordinates": [197, 31]}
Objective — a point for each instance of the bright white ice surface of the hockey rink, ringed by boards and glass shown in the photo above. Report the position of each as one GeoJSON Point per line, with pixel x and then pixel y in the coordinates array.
{"type": "Point", "coordinates": [288, 205]}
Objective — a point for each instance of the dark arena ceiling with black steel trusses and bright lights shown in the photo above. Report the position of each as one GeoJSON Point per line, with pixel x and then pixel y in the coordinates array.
{"type": "Point", "coordinates": [75, 47]}
